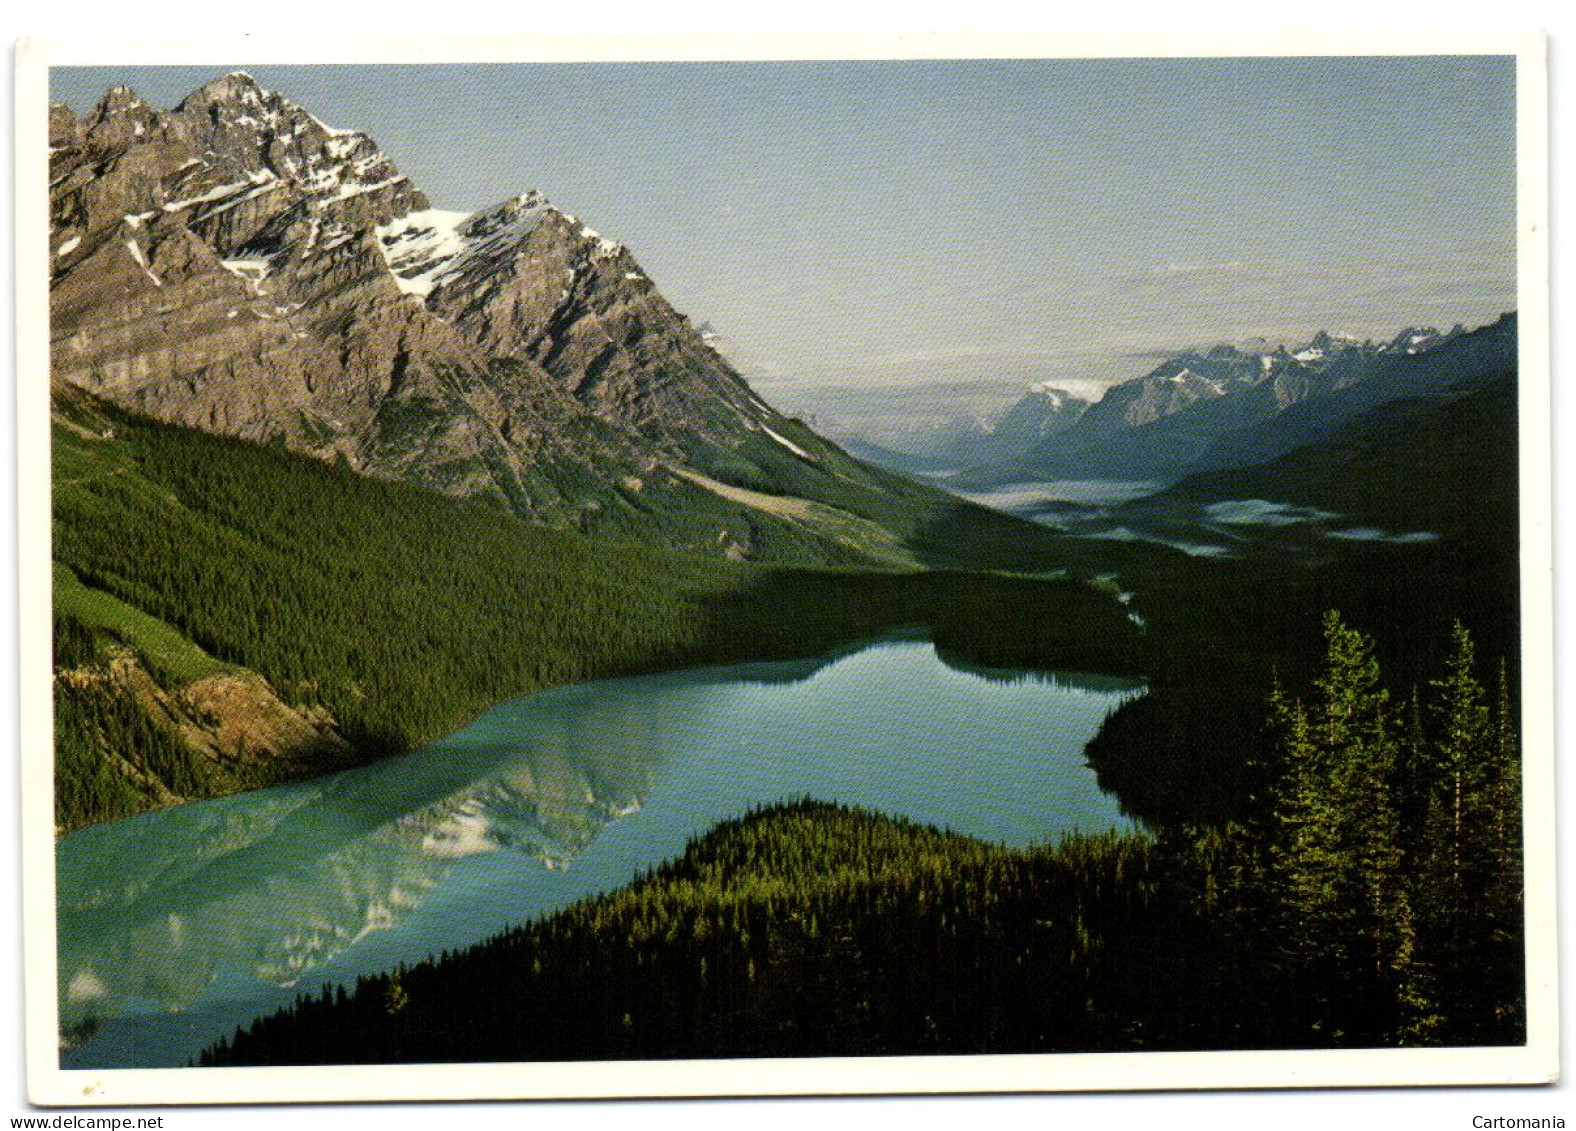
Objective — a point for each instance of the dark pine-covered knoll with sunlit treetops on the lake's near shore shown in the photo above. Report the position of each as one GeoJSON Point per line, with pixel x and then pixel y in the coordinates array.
{"type": "Point", "coordinates": [803, 930]}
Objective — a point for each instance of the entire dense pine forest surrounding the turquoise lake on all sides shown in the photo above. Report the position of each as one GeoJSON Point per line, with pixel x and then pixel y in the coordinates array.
{"type": "Point", "coordinates": [1333, 858]}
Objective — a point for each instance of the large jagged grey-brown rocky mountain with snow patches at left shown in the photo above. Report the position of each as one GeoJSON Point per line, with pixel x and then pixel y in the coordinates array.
{"type": "Point", "coordinates": [240, 267]}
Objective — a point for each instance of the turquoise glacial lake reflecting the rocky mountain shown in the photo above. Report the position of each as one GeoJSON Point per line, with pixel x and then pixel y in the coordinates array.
{"type": "Point", "coordinates": [177, 927]}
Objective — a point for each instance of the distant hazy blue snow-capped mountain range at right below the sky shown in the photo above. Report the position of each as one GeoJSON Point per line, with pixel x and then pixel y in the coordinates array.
{"type": "Point", "coordinates": [1202, 410]}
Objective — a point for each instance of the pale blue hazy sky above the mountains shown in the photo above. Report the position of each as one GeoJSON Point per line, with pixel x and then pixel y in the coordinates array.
{"type": "Point", "coordinates": [986, 224]}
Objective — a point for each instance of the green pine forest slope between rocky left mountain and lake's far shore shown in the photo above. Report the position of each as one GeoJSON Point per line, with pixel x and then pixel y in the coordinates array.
{"type": "Point", "coordinates": [388, 615]}
